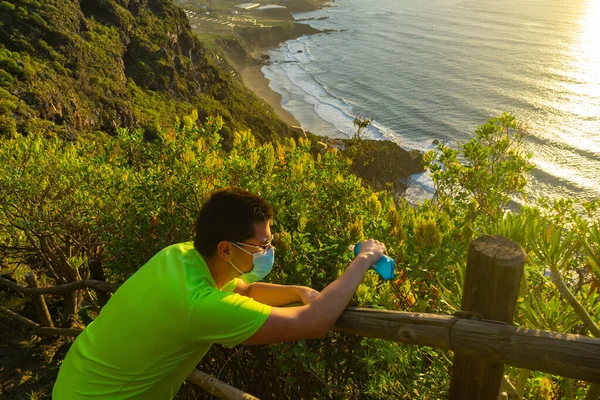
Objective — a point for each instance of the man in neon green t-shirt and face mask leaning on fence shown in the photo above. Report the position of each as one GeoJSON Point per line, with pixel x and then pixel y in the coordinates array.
{"type": "Point", "coordinates": [164, 318]}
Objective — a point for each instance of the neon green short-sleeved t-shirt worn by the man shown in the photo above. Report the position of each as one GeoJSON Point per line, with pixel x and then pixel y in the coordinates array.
{"type": "Point", "coordinates": [155, 329]}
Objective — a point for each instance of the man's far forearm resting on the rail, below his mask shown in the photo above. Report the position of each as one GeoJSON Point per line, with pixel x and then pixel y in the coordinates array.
{"type": "Point", "coordinates": [276, 295]}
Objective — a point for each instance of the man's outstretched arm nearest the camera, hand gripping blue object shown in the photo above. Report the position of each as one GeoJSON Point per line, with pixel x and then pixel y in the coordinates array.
{"type": "Point", "coordinates": [317, 318]}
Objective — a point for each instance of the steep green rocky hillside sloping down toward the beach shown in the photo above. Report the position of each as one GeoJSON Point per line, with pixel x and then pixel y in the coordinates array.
{"type": "Point", "coordinates": [71, 67]}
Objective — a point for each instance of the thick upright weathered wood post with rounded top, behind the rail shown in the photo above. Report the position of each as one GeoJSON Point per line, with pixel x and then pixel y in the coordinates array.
{"type": "Point", "coordinates": [494, 269]}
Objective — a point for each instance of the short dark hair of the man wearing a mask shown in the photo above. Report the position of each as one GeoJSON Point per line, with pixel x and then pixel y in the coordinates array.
{"type": "Point", "coordinates": [229, 214]}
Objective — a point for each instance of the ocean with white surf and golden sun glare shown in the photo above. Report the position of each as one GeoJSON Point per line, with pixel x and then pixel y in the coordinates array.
{"type": "Point", "coordinates": [436, 69]}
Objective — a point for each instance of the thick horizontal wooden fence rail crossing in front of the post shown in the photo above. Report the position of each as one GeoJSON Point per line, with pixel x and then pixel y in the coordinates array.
{"type": "Point", "coordinates": [572, 356]}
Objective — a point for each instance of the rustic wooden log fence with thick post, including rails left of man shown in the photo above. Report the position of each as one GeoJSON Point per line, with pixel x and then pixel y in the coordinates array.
{"type": "Point", "coordinates": [481, 335]}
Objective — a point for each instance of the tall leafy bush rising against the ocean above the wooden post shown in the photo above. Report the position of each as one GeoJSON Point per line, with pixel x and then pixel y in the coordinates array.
{"type": "Point", "coordinates": [480, 177]}
